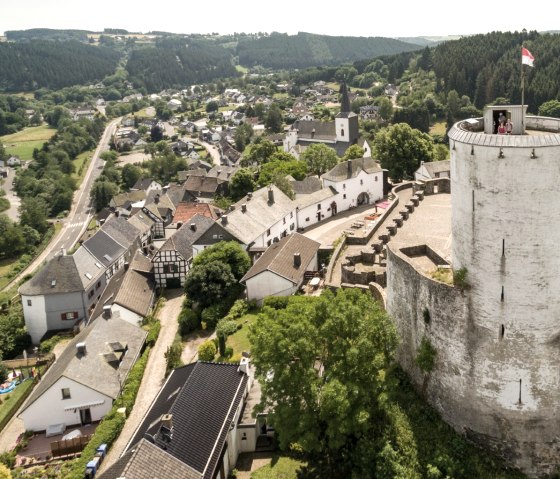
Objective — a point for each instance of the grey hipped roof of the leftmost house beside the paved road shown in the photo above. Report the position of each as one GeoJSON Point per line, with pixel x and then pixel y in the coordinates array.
{"type": "Point", "coordinates": [60, 275]}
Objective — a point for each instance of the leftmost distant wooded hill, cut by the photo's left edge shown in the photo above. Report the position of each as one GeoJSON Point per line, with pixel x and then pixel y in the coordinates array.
{"type": "Point", "coordinates": [36, 64]}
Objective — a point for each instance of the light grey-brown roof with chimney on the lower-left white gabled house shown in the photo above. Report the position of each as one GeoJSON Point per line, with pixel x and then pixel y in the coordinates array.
{"type": "Point", "coordinates": [91, 369]}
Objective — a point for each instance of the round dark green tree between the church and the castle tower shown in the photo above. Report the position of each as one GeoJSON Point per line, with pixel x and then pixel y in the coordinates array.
{"type": "Point", "coordinates": [401, 148]}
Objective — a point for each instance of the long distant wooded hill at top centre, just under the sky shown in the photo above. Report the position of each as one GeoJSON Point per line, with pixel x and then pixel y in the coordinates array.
{"type": "Point", "coordinates": [303, 50]}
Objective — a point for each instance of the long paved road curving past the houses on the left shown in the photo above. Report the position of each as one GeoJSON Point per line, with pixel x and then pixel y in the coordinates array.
{"type": "Point", "coordinates": [82, 211]}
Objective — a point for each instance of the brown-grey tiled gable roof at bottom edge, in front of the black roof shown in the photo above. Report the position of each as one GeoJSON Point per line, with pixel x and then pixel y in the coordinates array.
{"type": "Point", "coordinates": [148, 461]}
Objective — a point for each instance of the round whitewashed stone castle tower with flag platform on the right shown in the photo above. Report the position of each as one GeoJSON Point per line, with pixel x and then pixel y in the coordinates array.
{"type": "Point", "coordinates": [497, 374]}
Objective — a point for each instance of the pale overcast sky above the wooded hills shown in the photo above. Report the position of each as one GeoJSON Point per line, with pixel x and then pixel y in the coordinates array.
{"type": "Point", "coordinates": [401, 18]}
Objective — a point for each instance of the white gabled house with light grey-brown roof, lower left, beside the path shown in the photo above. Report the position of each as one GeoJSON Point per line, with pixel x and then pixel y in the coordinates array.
{"type": "Point", "coordinates": [86, 378]}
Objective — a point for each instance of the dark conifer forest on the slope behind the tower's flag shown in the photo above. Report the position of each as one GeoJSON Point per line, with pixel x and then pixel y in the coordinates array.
{"type": "Point", "coordinates": [486, 67]}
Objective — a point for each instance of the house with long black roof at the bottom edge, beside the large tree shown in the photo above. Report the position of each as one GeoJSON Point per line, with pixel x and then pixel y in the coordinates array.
{"type": "Point", "coordinates": [198, 424]}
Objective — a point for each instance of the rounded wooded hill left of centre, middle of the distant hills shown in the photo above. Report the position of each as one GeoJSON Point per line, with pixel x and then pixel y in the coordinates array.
{"type": "Point", "coordinates": [175, 63]}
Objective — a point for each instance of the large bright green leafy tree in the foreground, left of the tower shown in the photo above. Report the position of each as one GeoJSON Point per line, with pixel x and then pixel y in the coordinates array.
{"type": "Point", "coordinates": [321, 363]}
